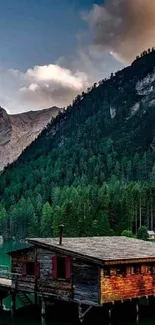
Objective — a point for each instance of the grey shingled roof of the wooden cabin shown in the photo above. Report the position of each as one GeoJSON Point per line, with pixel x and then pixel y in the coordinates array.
{"type": "Point", "coordinates": [100, 249]}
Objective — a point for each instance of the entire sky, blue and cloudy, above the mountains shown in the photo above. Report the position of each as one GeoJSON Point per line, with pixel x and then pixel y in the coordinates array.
{"type": "Point", "coordinates": [52, 50]}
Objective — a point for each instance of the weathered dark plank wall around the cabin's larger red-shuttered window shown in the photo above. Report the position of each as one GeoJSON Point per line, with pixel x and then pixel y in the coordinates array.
{"type": "Point", "coordinates": [83, 285]}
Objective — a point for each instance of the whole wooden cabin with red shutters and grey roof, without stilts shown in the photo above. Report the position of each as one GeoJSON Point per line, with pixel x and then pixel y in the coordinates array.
{"type": "Point", "coordinates": [91, 271]}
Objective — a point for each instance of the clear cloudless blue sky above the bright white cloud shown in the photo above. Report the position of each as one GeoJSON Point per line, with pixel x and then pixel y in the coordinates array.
{"type": "Point", "coordinates": [37, 32]}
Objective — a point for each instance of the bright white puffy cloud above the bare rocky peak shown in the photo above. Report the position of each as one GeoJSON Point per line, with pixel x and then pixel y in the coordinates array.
{"type": "Point", "coordinates": [52, 85]}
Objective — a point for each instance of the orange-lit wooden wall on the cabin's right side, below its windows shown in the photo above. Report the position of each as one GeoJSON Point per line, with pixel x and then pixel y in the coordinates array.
{"type": "Point", "coordinates": [117, 287]}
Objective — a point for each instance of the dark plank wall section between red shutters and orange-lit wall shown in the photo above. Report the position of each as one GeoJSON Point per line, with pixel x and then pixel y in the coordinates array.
{"type": "Point", "coordinates": [86, 282]}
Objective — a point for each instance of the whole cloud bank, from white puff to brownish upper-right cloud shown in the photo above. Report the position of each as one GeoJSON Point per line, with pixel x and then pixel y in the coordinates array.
{"type": "Point", "coordinates": [118, 31]}
